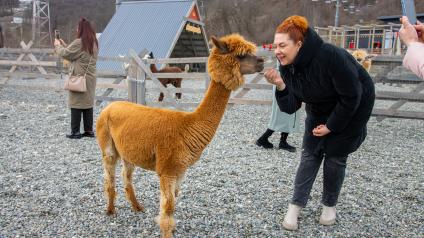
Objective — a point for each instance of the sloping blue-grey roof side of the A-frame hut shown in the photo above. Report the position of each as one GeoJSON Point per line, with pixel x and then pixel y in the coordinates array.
{"type": "Point", "coordinates": [153, 25]}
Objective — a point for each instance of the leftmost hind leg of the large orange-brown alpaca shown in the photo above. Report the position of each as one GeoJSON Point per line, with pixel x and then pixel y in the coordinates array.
{"type": "Point", "coordinates": [109, 164]}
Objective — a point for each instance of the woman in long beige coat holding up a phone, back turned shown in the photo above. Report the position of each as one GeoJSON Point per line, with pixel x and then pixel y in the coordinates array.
{"type": "Point", "coordinates": [82, 53]}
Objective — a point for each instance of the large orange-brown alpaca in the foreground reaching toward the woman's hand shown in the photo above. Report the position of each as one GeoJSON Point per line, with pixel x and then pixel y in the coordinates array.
{"type": "Point", "coordinates": [168, 141]}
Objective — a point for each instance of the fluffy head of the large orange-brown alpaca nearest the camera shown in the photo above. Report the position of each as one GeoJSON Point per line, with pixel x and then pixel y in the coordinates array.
{"type": "Point", "coordinates": [231, 57]}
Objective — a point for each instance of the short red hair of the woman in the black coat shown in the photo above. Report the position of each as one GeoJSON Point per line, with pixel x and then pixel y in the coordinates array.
{"type": "Point", "coordinates": [295, 26]}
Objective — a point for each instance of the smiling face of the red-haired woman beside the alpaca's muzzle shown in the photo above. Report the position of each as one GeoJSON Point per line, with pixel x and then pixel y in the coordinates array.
{"type": "Point", "coordinates": [285, 48]}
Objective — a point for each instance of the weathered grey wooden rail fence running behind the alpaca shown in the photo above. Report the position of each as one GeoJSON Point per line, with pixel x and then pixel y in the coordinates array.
{"type": "Point", "coordinates": [134, 82]}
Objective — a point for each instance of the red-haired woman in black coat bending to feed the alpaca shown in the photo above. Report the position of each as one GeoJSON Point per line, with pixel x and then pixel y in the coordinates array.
{"type": "Point", "coordinates": [339, 96]}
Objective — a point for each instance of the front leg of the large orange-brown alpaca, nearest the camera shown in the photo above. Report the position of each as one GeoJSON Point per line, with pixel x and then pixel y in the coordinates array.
{"type": "Point", "coordinates": [167, 205]}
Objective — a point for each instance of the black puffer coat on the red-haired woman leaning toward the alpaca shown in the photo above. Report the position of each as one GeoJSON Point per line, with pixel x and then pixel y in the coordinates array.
{"type": "Point", "coordinates": [337, 91]}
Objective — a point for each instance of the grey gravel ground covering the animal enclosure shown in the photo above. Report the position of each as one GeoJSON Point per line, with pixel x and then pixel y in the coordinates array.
{"type": "Point", "coordinates": [52, 187]}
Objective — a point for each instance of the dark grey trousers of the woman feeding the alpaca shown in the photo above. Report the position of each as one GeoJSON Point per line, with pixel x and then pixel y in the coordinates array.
{"type": "Point", "coordinates": [334, 173]}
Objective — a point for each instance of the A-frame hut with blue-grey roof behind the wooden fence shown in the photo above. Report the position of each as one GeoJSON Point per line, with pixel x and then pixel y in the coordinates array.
{"type": "Point", "coordinates": [169, 29]}
